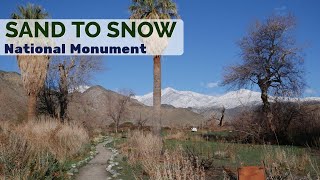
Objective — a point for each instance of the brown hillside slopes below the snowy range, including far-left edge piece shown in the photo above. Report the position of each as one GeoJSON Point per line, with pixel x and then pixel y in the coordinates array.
{"type": "Point", "coordinates": [90, 106]}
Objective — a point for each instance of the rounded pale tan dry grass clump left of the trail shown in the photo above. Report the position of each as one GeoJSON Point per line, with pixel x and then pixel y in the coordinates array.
{"type": "Point", "coordinates": [62, 140]}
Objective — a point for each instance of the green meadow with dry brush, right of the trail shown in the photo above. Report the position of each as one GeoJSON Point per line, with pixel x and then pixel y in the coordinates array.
{"type": "Point", "coordinates": [181, 154]}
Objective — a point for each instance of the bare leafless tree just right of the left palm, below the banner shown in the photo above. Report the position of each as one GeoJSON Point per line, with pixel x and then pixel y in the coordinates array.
{"type": "Point", "coordinates": [67, 74]}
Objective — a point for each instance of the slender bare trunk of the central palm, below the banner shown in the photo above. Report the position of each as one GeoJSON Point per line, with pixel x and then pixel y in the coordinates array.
{"type": "Point", "coordinates": [157, 93]}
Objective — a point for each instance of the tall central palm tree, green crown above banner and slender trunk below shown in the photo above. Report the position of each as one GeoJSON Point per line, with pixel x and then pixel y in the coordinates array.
{"type": "Point", "coordinates": [155, 9]}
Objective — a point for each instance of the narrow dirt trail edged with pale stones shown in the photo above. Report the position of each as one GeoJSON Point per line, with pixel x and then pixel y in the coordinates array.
{"type": "Point", "coordinates": [96, 168]}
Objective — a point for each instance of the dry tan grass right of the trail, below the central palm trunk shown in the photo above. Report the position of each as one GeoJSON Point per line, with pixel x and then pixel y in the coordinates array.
{"type": "Point", "coordinates": [146, 149]}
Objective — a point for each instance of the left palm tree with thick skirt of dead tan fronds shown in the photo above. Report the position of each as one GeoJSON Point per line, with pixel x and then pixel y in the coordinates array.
{"type": "Point", "coordinates": [33, 68]}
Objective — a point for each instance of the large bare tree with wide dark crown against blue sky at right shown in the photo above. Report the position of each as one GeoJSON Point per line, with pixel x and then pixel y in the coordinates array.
{"type": "Point", "coordinates": [270, 59]}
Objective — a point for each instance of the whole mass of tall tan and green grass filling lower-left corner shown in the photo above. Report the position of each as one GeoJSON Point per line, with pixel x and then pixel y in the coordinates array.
{"type": "Point", "coordinates": [39, 149]}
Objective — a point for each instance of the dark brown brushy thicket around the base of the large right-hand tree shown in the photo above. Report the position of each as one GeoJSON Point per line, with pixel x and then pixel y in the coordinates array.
{"type": "Point", "coordinates": [295, 124]}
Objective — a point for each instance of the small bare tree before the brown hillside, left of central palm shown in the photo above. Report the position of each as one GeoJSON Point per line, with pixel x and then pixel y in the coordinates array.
{"type": "Point", "coordinates": [118, 107]}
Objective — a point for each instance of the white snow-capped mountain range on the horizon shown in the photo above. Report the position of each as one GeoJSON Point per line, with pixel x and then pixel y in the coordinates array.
{"type": "Point", "coordinates": [185, 99]}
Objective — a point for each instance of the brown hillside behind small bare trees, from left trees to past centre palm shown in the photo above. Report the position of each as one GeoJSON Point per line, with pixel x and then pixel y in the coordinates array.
{"type": "Point", "coordinates": [93, 104]}
